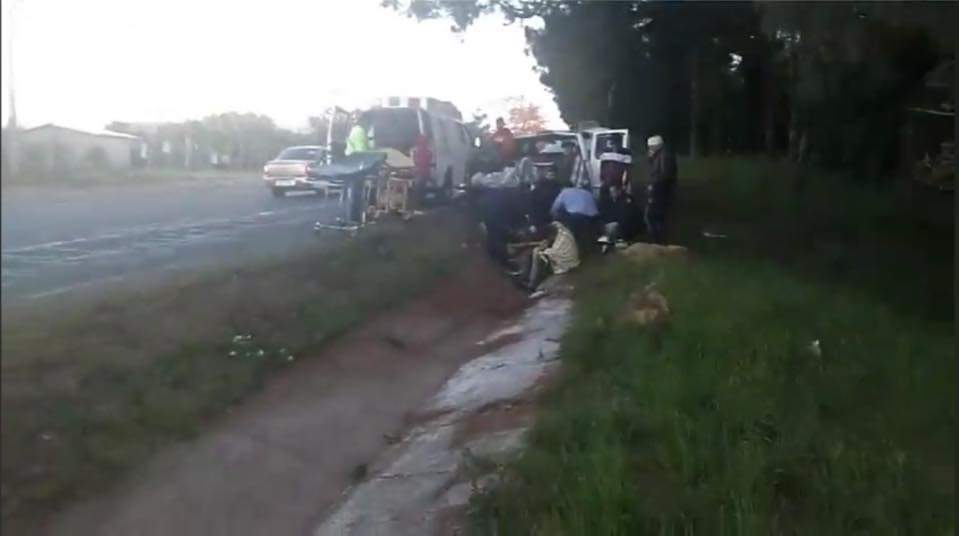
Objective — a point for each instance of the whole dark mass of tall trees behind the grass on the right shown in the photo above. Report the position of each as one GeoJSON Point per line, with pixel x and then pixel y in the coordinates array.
{"type": "Point", "coordinates": [824, 82]}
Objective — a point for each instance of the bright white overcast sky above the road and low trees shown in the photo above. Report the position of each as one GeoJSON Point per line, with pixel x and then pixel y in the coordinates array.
{"type": "Point", "coordinates": [86, 63]}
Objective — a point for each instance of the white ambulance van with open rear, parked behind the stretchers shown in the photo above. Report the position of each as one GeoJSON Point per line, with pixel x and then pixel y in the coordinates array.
{"type": "Point", "coordinates": [398, 121]}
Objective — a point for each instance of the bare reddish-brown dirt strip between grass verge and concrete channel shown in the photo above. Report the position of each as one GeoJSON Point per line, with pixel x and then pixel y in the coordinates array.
{"type": "Point", "coordinates": [282, 458]}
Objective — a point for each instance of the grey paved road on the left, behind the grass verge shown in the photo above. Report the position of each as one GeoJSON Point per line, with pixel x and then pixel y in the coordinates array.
{"type": "Point", "coordinates": [59, 242]}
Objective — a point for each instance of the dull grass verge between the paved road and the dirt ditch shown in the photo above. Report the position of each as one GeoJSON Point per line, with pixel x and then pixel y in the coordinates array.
{"type": "Point", "coordinates": [90, 393]}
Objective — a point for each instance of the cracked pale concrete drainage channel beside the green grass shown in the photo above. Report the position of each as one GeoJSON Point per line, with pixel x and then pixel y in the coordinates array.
{"type": "Point", "coordinates": [417, 486]}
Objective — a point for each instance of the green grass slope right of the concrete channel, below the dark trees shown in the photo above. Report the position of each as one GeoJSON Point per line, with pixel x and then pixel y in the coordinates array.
{"type": "Point", "coordinates": [724, 421]}
